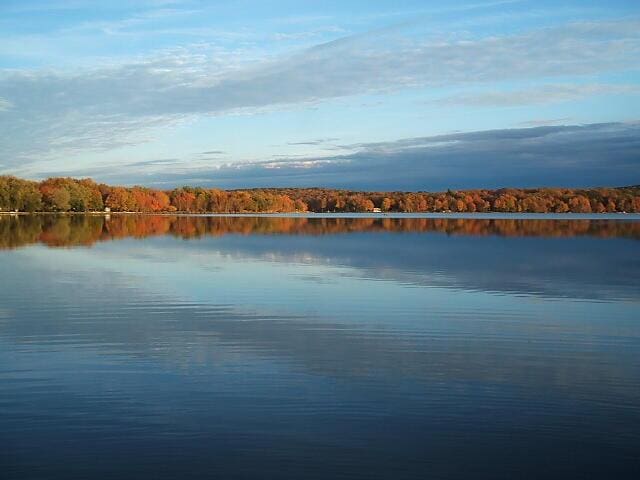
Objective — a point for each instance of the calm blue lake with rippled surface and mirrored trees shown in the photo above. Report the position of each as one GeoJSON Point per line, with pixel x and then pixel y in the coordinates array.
{"type": "Point", "coordinates": [370, 347]}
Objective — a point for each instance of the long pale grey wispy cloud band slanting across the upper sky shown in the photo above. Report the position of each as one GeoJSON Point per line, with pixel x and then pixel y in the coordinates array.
{"type": "Point", "coordinates": [56, 114]}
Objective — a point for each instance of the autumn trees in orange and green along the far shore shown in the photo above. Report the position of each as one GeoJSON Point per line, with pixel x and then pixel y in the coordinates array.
{"type": "Point", "coordinates": [72, 195]}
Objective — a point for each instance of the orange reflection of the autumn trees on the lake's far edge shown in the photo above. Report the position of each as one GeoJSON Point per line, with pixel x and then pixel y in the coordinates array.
{"type": "Point", "coordinates": [86, 230]}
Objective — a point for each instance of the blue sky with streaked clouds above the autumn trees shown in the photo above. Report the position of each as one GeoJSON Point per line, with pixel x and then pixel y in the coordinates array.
{"type": "Point", "coordinates": [384, 95]}
